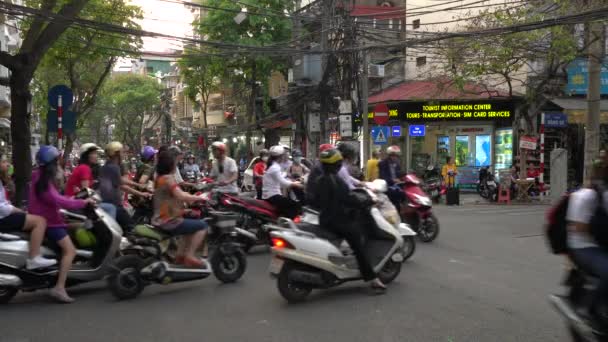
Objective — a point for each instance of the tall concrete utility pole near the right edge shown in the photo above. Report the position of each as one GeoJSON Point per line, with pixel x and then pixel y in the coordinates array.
{"type": "Point", "coordinates": [596, 41]}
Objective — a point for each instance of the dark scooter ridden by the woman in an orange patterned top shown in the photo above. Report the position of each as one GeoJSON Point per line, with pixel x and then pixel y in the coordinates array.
{"type": "Point", "coordinates": [145, 259]}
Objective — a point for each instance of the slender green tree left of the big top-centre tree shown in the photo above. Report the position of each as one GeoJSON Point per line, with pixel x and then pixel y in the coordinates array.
{"type": "Point", "coordinates": [202, 75]}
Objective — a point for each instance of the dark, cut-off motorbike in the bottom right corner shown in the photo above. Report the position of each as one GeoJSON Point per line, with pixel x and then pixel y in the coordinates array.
{"type": "Point", "coordinates": [574, 305]}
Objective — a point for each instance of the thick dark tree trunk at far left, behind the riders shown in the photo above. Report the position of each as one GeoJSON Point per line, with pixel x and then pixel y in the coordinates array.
{"type": "Point", "coordinates": [21, 98]}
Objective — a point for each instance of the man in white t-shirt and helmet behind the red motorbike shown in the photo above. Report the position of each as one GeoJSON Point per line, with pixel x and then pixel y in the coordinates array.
{"type": "Point", "coordinates": [224, 169]}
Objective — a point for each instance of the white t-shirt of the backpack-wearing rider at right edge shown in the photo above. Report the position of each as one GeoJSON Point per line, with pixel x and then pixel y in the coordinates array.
{"type": "Point", "coordinates": [581, 207]}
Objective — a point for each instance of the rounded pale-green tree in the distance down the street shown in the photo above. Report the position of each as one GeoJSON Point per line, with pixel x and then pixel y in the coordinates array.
{"type": "Point", "coordinates": [132, 103]}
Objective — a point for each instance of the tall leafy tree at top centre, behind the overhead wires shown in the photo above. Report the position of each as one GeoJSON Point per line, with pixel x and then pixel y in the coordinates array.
{"type": "Point", "coordinates": [260, 30]}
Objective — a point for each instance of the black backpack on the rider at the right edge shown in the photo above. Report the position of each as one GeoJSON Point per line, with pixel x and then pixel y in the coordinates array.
{"type": "Point", "coordinates": [556, 227]}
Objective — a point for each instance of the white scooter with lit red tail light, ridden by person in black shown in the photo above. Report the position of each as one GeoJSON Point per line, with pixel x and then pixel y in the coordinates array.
{"type": "Point", "coordinates": [306, 257]}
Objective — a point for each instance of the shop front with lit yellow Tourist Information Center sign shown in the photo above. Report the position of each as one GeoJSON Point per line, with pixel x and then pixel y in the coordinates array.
{"type": "Point", "coordinates": [476, 134]}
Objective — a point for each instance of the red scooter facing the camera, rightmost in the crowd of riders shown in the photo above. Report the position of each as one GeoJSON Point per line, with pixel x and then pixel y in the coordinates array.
{"type": "Point", "coordinates": [416, 209]}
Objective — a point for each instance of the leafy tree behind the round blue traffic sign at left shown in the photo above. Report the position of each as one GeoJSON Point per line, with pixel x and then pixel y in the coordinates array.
{"type": "Point", "coordinates": [83, 59]}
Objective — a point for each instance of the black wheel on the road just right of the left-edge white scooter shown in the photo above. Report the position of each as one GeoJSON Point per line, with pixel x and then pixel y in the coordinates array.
{"type": "Point", "coordinates": [125, 281]}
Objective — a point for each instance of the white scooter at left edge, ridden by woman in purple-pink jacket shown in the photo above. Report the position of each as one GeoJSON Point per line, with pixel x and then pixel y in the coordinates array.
{"type": "Point", "coordinates": [92, 263]}
